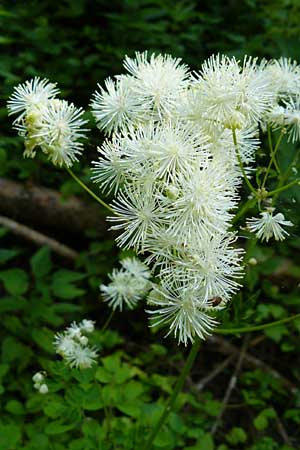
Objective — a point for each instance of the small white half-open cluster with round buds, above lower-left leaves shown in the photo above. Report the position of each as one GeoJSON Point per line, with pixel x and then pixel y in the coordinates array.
{"type": "Point", "coordinates": [73, 345]}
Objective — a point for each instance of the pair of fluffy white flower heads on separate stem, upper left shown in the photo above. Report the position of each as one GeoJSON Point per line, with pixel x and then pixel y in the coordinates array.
{"type": "Point", "coordinates": [46, 122]}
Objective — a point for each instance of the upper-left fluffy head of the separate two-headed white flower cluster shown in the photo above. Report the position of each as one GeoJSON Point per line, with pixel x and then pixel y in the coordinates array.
{"type": "Point", "coordinates": [31, 96]}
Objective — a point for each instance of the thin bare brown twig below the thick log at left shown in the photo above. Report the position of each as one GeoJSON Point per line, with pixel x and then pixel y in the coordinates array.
{"type": "Point", "coordinates": [38, 238]}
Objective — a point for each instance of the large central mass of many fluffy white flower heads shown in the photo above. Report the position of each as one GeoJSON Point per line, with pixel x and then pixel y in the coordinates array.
{"type": "Point", "coordinates": [171, 163]}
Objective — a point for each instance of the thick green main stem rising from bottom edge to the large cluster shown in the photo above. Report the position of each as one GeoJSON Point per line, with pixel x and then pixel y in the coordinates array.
{"type": "Point", "coordinates": [170, 403]}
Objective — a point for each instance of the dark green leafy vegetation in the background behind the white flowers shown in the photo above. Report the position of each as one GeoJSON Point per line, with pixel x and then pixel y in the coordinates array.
{"type": "Point", "coordinates": [78, 44]}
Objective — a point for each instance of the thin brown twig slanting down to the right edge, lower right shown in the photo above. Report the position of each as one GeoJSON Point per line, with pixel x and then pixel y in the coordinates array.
{"type": "Point", "coordinates": [226, 347]}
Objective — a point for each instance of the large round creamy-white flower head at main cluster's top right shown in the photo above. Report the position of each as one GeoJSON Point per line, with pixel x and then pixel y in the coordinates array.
{"type": "Point", "coordinates": [232, 93]}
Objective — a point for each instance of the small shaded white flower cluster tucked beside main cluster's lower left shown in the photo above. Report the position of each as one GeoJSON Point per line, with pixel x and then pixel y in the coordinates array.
{"type": "Point", "coordinates": [128, 285]}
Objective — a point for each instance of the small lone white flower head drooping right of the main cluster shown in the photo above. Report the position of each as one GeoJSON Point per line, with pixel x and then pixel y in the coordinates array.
{"type": "Point", "coordinates": [269, 225]}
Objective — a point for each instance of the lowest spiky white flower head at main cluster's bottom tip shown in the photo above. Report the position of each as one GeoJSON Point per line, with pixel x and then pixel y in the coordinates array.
{"type": "Point", "coordinates": [181, 309]}
